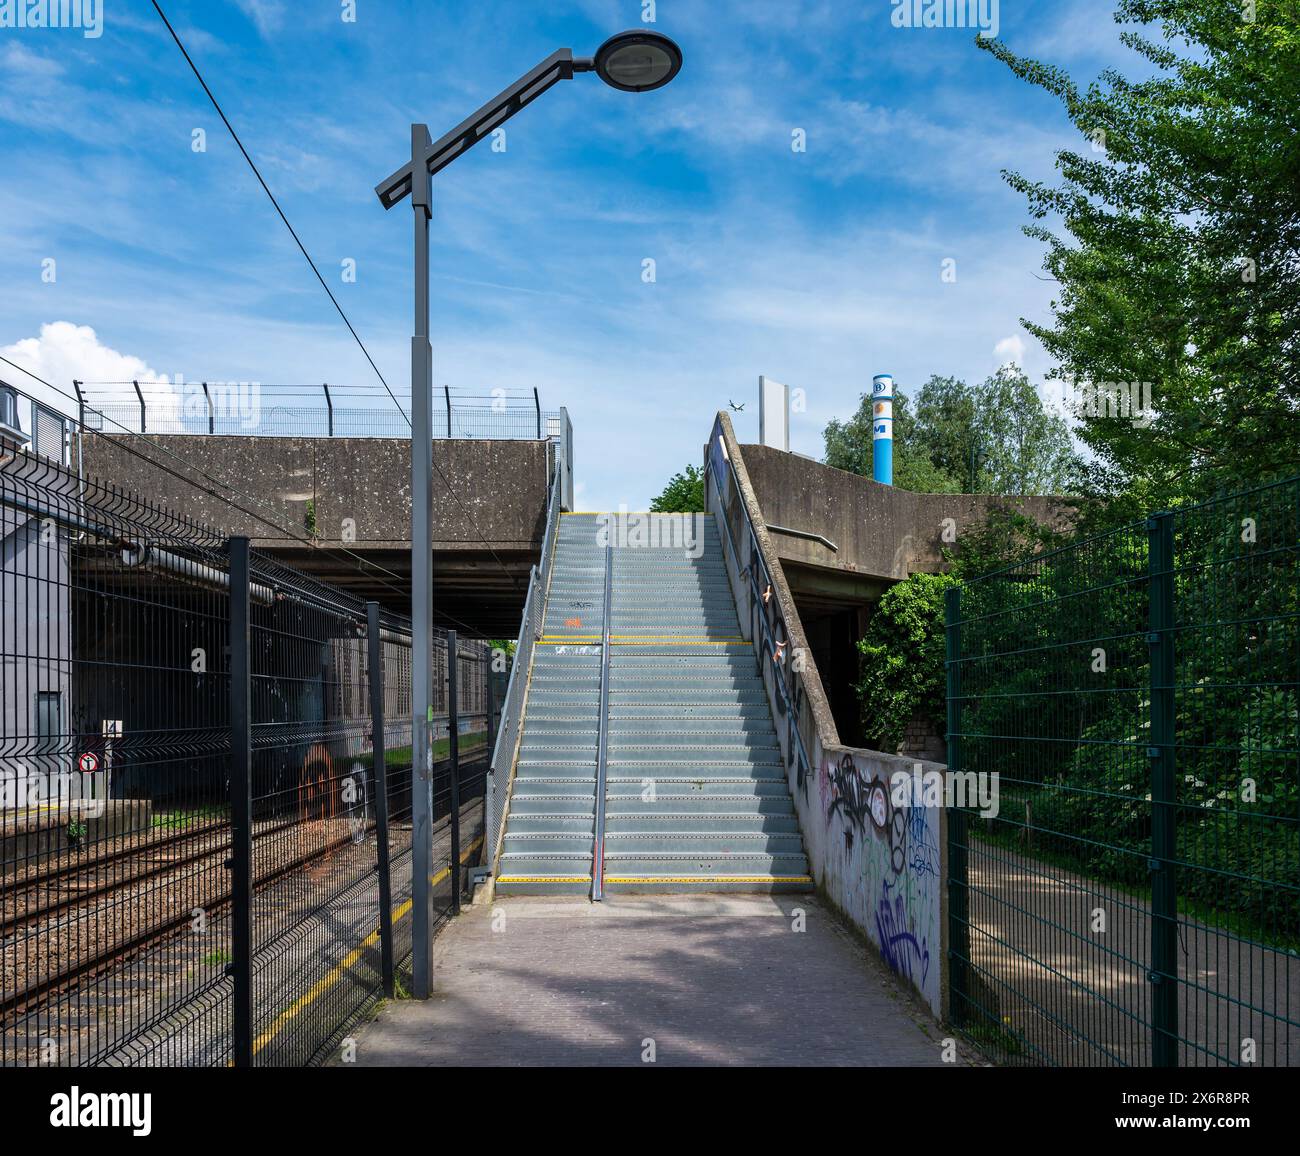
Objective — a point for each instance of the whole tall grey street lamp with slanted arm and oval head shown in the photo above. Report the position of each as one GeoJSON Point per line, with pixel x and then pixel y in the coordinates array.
{"type": "Point", "coordinates": [632, 62]}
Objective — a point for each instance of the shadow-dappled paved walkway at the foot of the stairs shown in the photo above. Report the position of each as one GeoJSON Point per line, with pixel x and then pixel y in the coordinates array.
{"type": "Point", "coordinates": [720, 980]}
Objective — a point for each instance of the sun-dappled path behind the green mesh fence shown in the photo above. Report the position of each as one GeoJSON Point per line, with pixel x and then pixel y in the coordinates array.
{"type": "Point", "coordinates": [1076, 997]}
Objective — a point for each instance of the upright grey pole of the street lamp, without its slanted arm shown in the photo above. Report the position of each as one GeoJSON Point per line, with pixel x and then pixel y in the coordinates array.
{"type": "Point", "coordinates": [422, 574]}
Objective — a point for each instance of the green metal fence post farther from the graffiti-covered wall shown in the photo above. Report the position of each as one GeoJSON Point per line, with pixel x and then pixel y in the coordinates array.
{"type": "Point", "coordinates": [1164, 843]}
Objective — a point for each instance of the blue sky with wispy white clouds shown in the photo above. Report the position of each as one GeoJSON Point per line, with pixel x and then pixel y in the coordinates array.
{"type": "Point", "coordinates": [817, 269]}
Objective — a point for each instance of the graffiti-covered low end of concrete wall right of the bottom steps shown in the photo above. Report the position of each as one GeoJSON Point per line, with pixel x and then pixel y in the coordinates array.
{"type": "Point", "coordinates": [882, 864]}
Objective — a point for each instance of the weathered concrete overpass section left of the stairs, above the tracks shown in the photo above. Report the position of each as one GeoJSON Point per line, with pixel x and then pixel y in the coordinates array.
{"type": "Point", "coordinates": [341, 509]}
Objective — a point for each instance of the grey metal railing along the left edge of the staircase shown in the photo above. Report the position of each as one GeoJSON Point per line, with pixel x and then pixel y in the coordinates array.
{"type": "Point", "coordinates": [502, 764]}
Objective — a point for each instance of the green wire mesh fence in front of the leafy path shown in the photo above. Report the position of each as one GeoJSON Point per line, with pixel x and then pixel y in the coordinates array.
{"type": "Point", "coordinates": [1137, 898]}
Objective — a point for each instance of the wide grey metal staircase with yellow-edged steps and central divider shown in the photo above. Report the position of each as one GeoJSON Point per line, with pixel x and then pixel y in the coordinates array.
{"type": "Point", "coordinates": [648, 759]}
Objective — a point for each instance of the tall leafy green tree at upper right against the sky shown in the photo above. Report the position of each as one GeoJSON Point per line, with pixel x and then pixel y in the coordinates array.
{"type": "Point", "coordinates": [1180, 258]}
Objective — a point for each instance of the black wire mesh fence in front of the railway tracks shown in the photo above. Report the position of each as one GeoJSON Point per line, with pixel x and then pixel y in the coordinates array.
{"type": "Point", "coordinates": [206, 770]}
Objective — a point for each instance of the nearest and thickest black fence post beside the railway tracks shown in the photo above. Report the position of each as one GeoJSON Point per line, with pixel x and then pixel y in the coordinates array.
{"type": "Point", "coordinates": [241, 804]}
